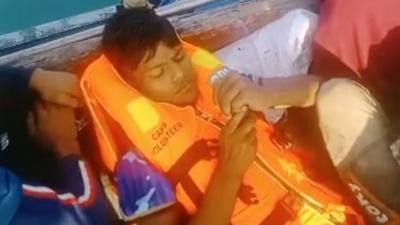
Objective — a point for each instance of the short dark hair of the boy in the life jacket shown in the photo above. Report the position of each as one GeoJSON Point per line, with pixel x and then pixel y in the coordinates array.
{"type": "Point", "coordinates": [130, 33]}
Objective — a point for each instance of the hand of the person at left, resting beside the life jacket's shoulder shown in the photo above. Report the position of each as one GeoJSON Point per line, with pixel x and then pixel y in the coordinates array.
{"type": "Point", "coordinates": [57, 87]}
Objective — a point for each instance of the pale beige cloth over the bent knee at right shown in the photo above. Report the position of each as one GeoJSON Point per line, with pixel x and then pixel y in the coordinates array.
{"type": "Point", "coordinates": [350, 119]}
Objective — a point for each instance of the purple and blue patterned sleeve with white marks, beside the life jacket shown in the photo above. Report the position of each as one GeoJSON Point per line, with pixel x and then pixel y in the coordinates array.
{"type": "Point", "coordinates": [142, 189]}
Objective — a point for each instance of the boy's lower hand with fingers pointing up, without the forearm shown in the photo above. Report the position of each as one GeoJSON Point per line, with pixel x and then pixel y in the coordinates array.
{"type": "Point", "coordinates": [238, 145]}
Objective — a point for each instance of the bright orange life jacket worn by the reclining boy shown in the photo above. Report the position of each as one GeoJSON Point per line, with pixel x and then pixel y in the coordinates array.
{"type": "Point", "coordinates": [179, 141]}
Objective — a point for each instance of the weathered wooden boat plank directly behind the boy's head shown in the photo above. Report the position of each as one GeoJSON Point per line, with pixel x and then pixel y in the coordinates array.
{"type": "Point", "coordinates": [211, 29]}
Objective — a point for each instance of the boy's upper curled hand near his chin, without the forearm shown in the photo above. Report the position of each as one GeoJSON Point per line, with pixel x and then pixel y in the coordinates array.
{"type": "Point", "coordinates": [235, 94]}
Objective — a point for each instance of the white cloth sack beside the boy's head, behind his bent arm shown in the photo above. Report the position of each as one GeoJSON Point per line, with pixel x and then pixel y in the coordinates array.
{"type": "Point", "coordinates": [279, 49]}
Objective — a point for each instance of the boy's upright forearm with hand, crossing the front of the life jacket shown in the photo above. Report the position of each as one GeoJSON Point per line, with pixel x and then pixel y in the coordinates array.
{"type": "Point", "coordinates": [237, 152]}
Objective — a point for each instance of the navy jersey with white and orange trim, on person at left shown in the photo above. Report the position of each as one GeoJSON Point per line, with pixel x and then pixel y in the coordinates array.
{"type": "Point", "coordinates": [80, 199]}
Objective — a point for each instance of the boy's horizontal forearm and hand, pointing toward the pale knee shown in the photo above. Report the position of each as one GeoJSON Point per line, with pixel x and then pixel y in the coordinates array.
{"type": "Point", "coordinates": [235, 93]}
